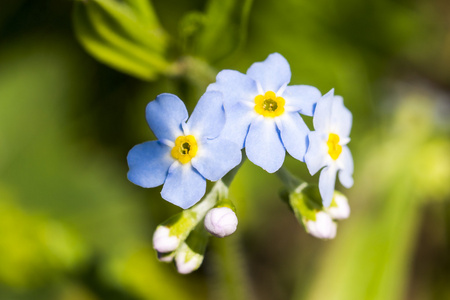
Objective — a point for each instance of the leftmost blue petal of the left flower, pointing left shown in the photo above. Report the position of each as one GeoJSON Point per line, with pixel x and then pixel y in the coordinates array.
{"type": "Point", "coordinates": [149, 163]}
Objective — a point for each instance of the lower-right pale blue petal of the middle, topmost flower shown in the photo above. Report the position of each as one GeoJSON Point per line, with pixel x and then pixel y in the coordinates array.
{"type": "Point", "coordinates": [294, 133]}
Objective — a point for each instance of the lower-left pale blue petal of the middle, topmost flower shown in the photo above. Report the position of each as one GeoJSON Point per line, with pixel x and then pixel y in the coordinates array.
{"type": "Point", "coordinates": [238, 119]}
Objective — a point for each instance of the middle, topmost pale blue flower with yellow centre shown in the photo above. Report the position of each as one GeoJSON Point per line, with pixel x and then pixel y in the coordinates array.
{"type": "Point", "coordinates": [263, 111]}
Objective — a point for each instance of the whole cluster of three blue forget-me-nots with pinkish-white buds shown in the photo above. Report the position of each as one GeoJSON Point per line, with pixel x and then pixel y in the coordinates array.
{"type": "Point", "coordinates": [257, 111]}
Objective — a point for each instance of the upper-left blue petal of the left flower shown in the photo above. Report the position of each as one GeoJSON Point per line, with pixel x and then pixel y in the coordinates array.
{"type": "Point", "coordinates": [165, 115]}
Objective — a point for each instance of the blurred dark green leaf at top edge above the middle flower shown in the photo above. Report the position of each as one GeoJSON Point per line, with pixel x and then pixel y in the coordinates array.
{"type": "Point", "coordinates": [220, 31]}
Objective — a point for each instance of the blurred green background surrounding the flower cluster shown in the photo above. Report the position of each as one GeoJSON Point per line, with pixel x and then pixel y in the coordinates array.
{"type": "Point", "coordinates": [75, 77]}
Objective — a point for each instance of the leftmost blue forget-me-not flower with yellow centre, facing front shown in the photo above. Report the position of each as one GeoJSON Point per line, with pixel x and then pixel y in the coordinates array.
{"type": "Point", "coordinates": [186, 153]}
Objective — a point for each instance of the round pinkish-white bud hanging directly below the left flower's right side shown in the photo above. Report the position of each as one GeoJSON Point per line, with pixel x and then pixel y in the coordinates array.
{"type": "Point", "coordinates": [221, 221]}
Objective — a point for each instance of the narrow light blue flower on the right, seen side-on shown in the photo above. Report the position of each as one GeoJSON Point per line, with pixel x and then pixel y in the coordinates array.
{"type": "Point", "coordinates": [328, 145]}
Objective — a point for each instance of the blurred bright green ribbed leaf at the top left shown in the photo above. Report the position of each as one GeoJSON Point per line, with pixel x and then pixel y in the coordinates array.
{"type": "Point", "coordinates": [125, 37]}
